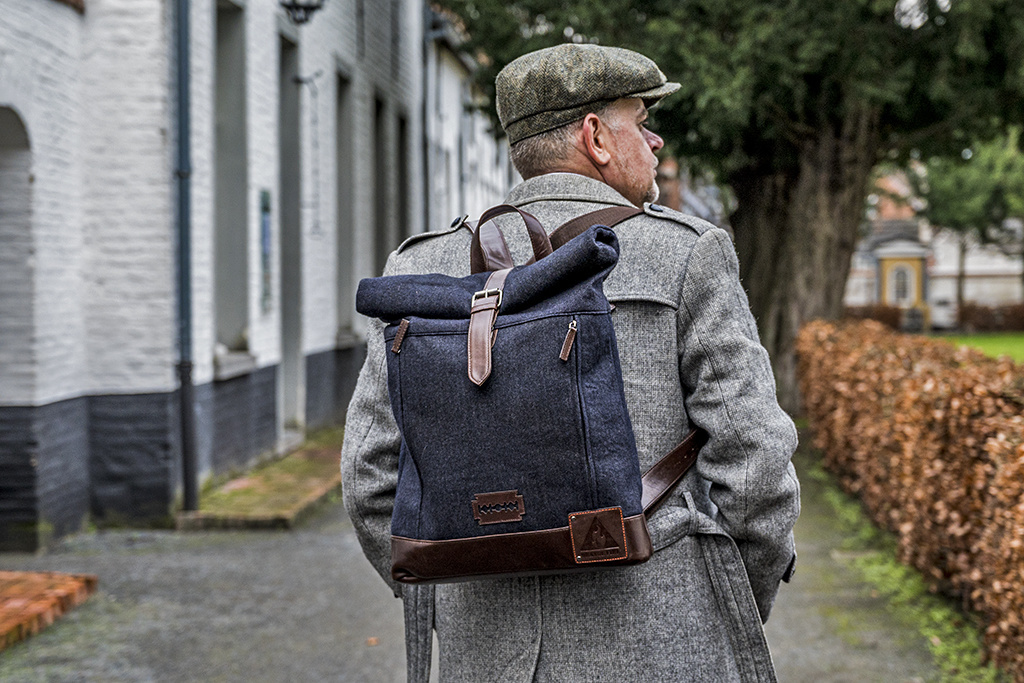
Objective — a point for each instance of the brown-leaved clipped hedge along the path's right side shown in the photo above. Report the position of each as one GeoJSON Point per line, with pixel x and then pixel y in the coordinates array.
{"type": "Point", "coordinates": [931, 438]}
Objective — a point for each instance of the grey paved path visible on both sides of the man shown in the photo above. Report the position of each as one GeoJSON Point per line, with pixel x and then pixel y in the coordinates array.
{"type": "Point", "coordinates": [304, 606]}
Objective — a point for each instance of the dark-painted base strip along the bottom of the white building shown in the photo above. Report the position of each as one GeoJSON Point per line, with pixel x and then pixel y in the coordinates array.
{"type": "Point", "coordinates": [116, 459]}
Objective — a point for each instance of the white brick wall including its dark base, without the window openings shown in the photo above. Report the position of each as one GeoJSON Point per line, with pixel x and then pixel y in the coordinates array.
{"type": "Point", "coordinates": [88, 281]}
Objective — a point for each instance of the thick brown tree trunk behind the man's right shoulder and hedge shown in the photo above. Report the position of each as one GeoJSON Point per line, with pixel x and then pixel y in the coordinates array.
{"type": "Point", "coordinates": [796, 233]}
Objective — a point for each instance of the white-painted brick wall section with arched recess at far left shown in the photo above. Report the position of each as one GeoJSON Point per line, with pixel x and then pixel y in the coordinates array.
{"type": "Point", "coordinates": [41, 81]}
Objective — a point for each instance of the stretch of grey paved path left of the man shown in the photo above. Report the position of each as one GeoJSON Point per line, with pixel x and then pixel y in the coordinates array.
{"type": "Point", "coordinates": [248, 607]}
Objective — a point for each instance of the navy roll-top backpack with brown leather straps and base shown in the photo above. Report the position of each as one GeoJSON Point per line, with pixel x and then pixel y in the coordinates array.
{"type": "Point", "coordinates": [518, 454]}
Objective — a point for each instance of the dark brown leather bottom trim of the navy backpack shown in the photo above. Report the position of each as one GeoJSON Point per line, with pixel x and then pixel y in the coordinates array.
{"type": "Point", "coordinates": [522, 553]}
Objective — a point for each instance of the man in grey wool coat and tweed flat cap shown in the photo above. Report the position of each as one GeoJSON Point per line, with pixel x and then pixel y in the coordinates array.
{"type": "Point", "coordinates": [689, 346]}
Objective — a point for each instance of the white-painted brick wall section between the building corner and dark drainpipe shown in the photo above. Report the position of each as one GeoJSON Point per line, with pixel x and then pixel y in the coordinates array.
{"type": "Point", "coordinates": [127, 225]}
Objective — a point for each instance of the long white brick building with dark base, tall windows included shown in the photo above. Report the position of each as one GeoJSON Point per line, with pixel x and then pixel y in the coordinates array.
{"type": "Point", "coordinates": [310, 164]}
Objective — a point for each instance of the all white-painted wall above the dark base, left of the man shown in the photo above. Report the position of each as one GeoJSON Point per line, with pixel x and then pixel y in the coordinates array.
{"type": "Point", "coordinates": [96, 92]}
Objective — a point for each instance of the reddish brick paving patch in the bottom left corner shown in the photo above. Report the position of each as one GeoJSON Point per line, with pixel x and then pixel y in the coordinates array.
{"type": "Point", "coordinates": [30, 602]}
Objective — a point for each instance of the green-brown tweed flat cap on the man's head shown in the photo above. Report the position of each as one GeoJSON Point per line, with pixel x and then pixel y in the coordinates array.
{"type": "Point", "coordinates": [543, 91]}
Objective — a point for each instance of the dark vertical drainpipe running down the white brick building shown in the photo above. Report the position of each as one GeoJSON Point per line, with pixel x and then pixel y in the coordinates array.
{"type": "Point", "coordinates": [187, 396]}
